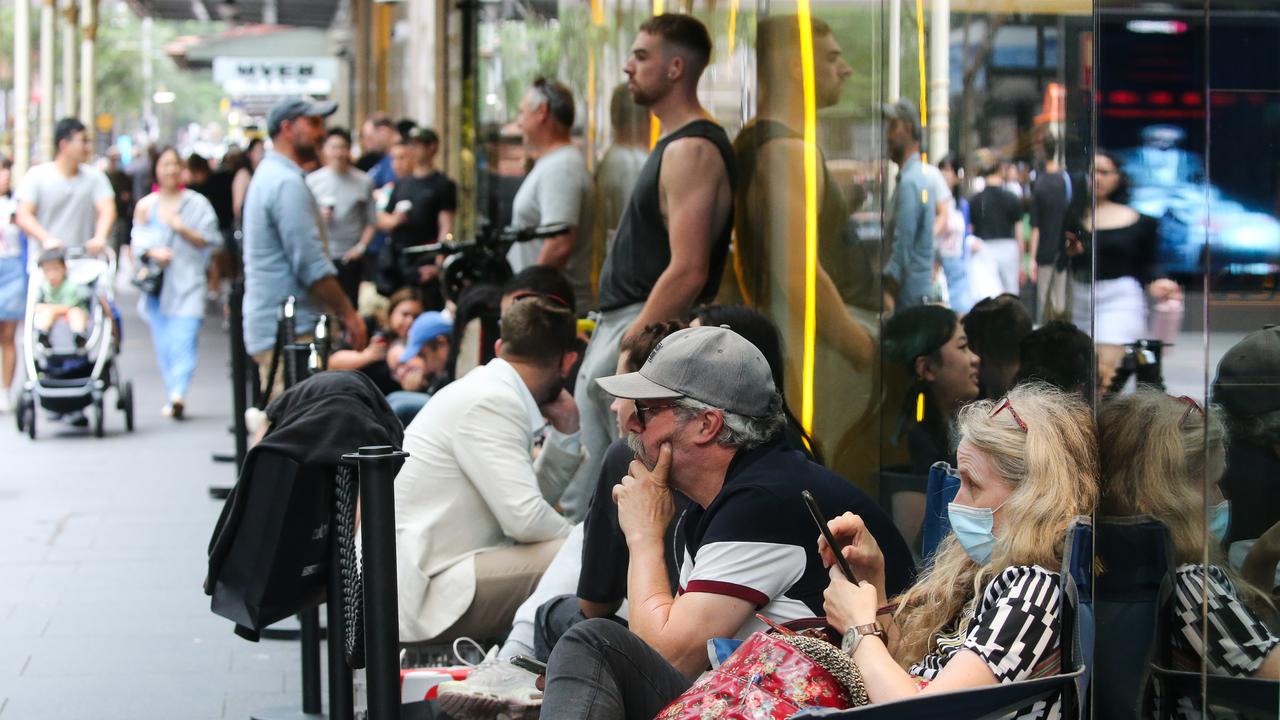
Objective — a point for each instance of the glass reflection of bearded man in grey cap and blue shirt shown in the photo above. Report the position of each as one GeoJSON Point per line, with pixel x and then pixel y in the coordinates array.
{"type": "Point", "coordinates": [909, 230]}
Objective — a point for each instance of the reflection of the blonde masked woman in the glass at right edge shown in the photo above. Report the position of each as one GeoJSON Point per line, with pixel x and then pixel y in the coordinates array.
{"type": "Point", "coordinates": [1164, 457]}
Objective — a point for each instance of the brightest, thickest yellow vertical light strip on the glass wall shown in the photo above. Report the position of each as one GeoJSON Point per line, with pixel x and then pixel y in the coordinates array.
{"type": "Point", "coordinates": [811, 215]}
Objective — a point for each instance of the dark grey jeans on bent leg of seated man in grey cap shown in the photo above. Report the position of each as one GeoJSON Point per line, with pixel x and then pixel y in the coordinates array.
{"type": "Point", "coordinates": [600, 671]}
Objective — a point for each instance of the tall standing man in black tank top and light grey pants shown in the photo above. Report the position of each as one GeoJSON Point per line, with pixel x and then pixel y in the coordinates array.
{"type": "Point", "coordinates": [671, 244]}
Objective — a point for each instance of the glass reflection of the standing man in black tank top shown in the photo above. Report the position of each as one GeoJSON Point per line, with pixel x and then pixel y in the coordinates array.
{"type": "Point", "coordinates": [771, 233]}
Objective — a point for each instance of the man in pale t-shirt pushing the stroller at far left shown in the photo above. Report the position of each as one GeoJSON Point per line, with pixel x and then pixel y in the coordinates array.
{"type": "Point", "coordinates": [67, 203]}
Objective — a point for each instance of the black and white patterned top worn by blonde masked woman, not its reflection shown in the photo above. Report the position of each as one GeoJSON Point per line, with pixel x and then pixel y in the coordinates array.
{"type": "Point", "coordinates": [1014, 628]}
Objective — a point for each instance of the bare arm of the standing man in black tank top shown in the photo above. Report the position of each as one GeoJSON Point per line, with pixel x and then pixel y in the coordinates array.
{"type": "Point", "coordinates": [696, 190]}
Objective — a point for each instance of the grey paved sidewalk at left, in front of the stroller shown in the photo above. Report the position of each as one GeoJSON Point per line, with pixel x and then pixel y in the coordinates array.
{"type": "Point", "coordinates": [103, 549]}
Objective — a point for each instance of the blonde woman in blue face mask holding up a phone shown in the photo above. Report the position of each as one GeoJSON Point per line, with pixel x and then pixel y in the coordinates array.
{"type": "Point", "coordinates": [989, 609]}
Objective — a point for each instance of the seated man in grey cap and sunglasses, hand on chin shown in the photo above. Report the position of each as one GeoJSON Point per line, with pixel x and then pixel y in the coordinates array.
{"type": "Point", "coordinates": [708, 423]}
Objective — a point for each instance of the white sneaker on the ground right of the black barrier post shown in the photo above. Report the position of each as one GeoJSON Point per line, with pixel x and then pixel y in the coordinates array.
{"type": "Point", "coordinates": [495, 691]}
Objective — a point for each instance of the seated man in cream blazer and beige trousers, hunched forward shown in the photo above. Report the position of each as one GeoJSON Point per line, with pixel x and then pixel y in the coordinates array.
{"type": "Point", "coordinates": [476, 527]}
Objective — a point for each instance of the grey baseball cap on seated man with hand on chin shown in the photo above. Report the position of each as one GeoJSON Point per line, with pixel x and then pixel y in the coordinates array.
{"type": "Point", "coordinates": [712, 366]}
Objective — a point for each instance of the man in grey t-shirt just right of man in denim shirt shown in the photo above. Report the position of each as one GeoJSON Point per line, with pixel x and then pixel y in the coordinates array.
{"type": "Point", "coordinates": [346, 199]}
